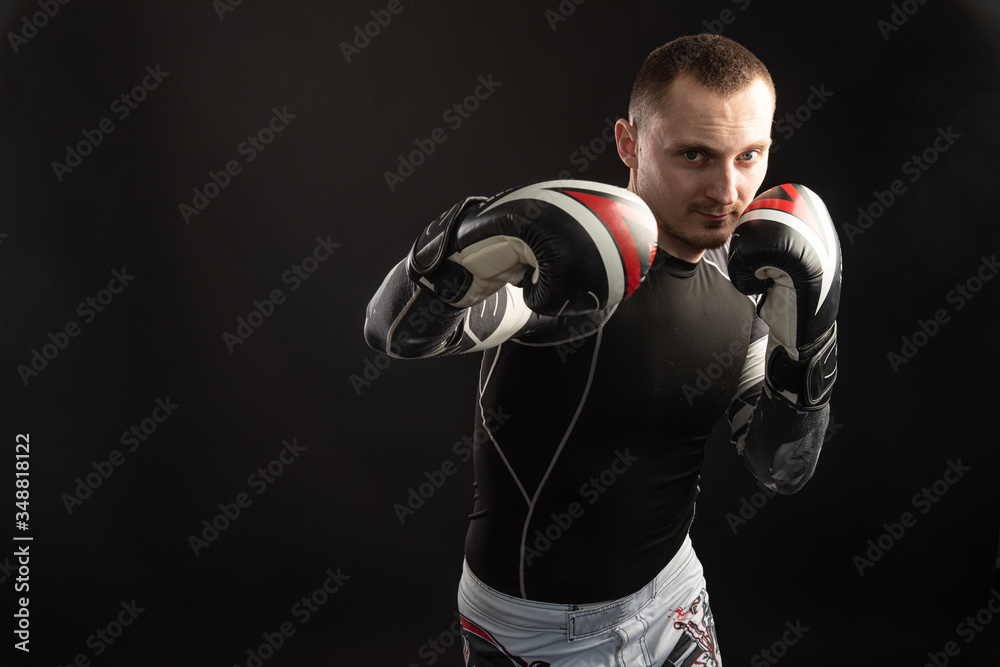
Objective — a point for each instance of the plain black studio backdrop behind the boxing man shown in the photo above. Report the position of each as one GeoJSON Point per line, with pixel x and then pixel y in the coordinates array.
{"type": "Point", "coordinates": [370, 439]}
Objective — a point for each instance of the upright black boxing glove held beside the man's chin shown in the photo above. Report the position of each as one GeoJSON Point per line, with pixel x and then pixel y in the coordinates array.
{"type": "Point", "coordinates": [785, 247]}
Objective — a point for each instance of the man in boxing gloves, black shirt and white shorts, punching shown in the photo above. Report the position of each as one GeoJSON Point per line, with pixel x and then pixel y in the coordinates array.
{"type": "Point", "coordinates": [597, 408]}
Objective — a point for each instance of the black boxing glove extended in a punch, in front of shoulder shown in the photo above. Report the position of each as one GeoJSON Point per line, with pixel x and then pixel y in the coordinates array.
{"type": "Point", "coordinates": [573, 246]}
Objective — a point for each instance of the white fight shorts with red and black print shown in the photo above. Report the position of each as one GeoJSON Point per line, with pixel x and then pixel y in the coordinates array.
{"type": "Point", "coordinates": [667, 623]}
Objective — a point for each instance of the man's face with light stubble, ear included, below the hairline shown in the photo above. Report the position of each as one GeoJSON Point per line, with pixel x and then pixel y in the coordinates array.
{"type": "Point", "coordinates": [699, 161]}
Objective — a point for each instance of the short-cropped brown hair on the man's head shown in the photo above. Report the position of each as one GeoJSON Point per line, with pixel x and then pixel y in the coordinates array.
{"type": "Point", "coordinates": [714, 61]}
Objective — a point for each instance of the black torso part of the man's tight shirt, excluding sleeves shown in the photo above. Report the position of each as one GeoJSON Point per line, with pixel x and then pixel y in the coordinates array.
{"type": "Point", "coordinates": [589, 487]}
